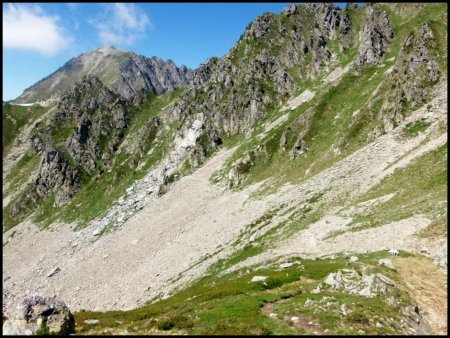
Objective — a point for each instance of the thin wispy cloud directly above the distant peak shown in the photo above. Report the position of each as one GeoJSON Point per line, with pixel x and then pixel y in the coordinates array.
{"type": "Point", "coordinates": [121, 24]}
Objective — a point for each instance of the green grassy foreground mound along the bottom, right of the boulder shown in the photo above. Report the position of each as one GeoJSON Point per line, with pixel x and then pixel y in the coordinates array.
{"type": "Point", "coordinates": [231, 304]}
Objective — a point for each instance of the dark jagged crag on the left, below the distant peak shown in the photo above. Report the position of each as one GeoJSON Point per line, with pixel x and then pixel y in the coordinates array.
{"type": "Point", "coordinates": [79, 139]}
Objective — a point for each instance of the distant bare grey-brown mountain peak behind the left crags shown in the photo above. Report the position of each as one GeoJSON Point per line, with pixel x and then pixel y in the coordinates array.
{"type": "Point", "coordinates": [123, 72]}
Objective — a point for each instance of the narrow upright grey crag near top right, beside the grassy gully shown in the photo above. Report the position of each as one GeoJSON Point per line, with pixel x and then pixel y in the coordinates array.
{"type": "Point", "coordinates": [375, 38]}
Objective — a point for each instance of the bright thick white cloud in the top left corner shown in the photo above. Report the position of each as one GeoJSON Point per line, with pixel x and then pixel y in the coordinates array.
{"type": "Point", "coordinates": [26, 27]}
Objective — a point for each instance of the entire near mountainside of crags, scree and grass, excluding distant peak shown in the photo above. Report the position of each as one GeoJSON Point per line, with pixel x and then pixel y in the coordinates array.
{"type": "Point", "coordinates": [260, 198]}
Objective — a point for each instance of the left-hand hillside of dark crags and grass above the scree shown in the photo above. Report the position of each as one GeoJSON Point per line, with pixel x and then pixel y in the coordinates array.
{"type": "Point", "coordinates": [90, 139]}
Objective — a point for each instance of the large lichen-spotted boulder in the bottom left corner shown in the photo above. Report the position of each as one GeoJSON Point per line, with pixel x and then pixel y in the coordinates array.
{"type": "Point", "coordinates": [39, 315]}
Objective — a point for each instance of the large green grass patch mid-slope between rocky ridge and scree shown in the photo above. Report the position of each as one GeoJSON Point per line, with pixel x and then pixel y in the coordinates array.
{"type": "Point", "coordinates": [329, 118]}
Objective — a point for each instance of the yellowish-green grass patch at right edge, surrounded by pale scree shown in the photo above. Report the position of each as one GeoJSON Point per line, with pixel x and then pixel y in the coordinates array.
{"type": "Point", "coordinates": [421, 189]}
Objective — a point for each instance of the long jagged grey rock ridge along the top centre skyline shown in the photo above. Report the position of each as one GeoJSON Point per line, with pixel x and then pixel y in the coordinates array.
{"type": "Point", "coordinates": [235, 91]}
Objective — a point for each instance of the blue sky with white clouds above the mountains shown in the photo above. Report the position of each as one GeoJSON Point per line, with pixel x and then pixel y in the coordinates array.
{"type": "Point", "coordinates": [40, 38]}
